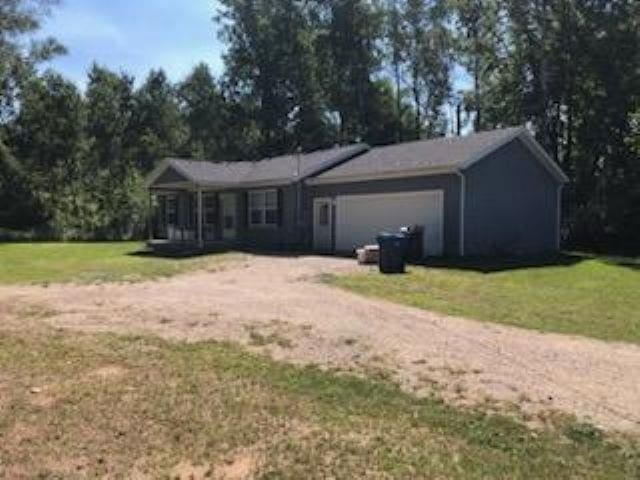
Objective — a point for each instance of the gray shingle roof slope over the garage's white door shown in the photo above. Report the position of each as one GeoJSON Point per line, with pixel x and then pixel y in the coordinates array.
{"type": "Point", "coordinates": [424, 154]}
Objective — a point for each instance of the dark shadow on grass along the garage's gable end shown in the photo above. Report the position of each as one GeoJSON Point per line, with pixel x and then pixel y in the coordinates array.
{"type": "Point", "coordinates": [494, 264]}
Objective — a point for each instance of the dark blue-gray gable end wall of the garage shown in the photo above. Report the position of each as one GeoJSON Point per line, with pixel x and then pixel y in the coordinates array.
{"type": "Point", "coordinates": [510, 204]}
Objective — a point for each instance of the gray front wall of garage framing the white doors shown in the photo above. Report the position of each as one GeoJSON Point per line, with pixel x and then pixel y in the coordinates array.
{"type": "Point", "coordinates": [449, 184]}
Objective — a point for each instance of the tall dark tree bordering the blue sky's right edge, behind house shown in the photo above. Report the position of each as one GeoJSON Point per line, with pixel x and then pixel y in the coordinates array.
{"type": "Point", "coordinates": [272, 67]}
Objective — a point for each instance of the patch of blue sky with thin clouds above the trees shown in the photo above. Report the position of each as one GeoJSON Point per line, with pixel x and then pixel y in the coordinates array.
{"type": "Point", "coordinates": [135, 36]}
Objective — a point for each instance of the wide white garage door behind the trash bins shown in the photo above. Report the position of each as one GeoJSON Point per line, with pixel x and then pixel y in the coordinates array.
{"type": "Point", "coordinates": [359, 218]}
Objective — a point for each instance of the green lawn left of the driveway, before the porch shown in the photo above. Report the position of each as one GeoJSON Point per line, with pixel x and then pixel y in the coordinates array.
{"type": "Point", "coordinates": [89, 262]}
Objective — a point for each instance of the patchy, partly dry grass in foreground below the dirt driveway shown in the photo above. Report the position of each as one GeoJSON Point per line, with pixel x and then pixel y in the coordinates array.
{"type": "Point", "coordinates": [80, 405]}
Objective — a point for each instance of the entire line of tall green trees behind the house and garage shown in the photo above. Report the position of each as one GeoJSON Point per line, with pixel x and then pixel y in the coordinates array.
{"type": "Point", "coordinates": [315, 73]}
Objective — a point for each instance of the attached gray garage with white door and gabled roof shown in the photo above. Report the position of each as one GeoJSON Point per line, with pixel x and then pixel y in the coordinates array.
{"type": "Point", "coordinates": [493, 193]}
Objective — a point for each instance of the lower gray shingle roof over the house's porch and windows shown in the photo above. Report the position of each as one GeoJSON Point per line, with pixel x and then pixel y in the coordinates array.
{"type": "Point", "coordinates": [276, 169]}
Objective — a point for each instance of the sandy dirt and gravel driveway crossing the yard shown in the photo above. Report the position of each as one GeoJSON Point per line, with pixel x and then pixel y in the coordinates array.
{"type": "Point", "coordinates": [277, 304]}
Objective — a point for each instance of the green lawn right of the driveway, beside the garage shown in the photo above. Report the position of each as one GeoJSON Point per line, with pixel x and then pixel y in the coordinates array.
{"type": "Point", "coordinates": [596, 297]}
